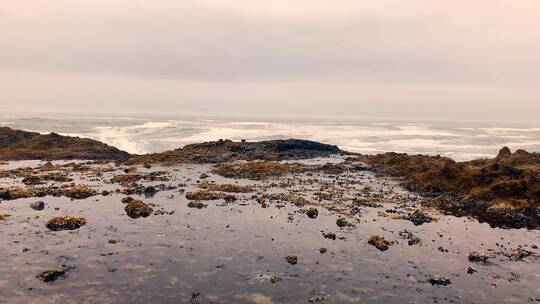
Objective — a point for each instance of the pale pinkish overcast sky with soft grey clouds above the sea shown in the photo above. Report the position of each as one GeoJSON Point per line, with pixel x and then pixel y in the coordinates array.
{"type": "Point", "coordinates": [431, 59]}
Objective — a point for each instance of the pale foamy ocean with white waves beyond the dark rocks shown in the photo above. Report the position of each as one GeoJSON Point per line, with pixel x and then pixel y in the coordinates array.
{"type": "Point", "coordinates": [140, 134]}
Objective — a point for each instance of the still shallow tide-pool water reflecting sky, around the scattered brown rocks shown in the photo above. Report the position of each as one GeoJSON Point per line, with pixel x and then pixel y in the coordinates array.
{"type": "Point", "coordinates": [227, 253]}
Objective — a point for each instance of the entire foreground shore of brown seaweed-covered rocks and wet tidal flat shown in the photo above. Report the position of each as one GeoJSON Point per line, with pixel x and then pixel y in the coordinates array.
{"type": "Point", "coordinates": [286, 221]}
